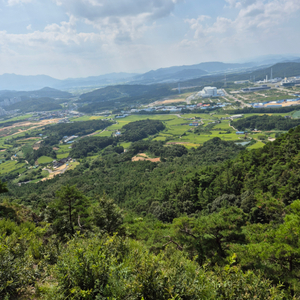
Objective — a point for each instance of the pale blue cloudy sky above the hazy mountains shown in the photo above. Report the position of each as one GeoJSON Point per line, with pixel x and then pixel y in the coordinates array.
{"type": "Point", "coordinates": [80, 38]}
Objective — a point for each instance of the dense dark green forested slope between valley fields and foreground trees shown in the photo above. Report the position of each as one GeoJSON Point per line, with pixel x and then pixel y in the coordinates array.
{"type": "Point", "coordinates": [184, 184]}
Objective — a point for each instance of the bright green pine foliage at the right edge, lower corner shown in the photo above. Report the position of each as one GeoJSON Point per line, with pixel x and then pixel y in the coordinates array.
{"type": "Point", "coordinates": [274, 248]}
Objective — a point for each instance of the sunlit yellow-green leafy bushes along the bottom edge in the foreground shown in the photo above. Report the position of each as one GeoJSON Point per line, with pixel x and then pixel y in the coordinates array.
{"type": "Point", "coordinates": [115, 268]}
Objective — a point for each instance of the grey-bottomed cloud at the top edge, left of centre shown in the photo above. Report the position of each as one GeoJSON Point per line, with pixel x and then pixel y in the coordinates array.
{"type": "Point", "coordinates": [119, 20]}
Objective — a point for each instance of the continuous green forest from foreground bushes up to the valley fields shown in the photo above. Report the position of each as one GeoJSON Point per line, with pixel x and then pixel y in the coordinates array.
{"type": "Point", "coordinates": [213, 222]}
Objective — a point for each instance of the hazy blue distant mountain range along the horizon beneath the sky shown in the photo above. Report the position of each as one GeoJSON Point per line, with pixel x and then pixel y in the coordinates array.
{"type": "Point", "coordinates": [162, 75]}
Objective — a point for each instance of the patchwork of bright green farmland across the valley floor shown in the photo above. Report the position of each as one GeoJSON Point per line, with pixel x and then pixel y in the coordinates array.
{"type": "Point", "coordinates": [190, 130]}
